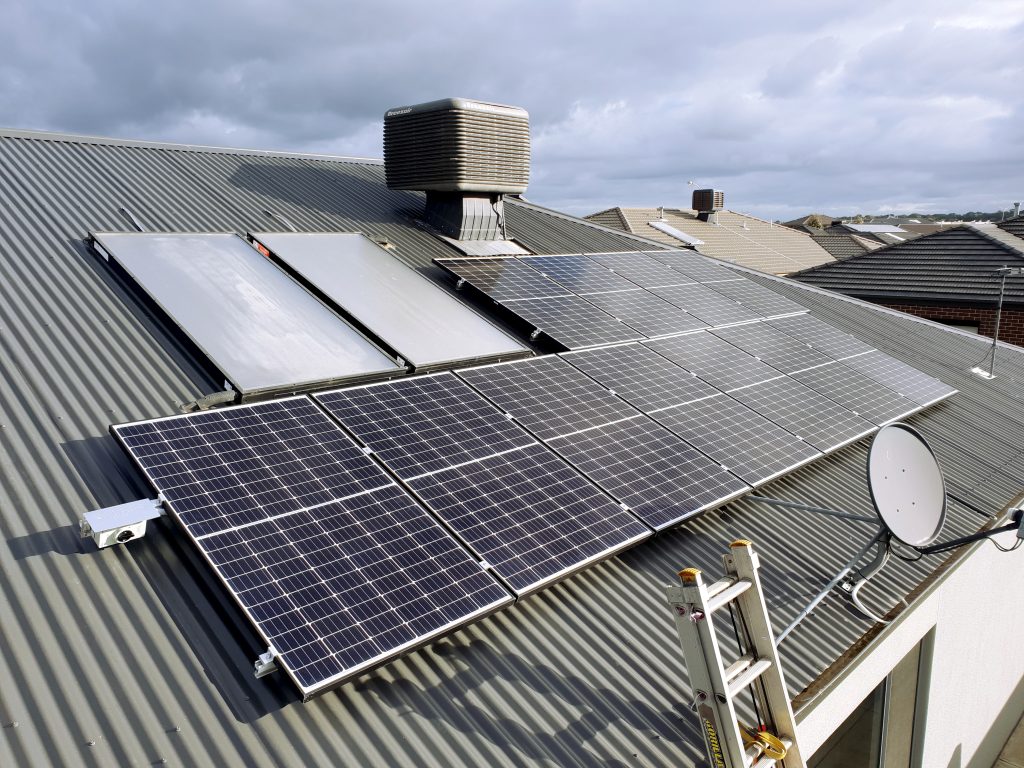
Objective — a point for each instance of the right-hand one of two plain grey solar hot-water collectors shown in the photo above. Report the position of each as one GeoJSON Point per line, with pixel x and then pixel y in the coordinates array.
{"type": "Point", "coordinates": [412, 315]}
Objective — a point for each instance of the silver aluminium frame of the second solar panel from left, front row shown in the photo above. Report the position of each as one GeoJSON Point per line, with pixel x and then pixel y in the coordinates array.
{"type": "Point", "coordinates": [406, 484]}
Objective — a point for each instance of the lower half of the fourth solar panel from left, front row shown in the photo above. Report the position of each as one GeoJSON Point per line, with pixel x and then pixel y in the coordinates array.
{"type": "Point", "coordinates": [741, 440]}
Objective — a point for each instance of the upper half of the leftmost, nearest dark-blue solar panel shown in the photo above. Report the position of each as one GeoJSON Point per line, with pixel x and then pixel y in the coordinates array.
{"type": "Point", "coordinates": [233, 466]}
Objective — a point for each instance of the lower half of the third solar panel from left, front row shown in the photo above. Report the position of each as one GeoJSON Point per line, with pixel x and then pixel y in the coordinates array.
{"type": "Point", "coordinates": [658, 476]}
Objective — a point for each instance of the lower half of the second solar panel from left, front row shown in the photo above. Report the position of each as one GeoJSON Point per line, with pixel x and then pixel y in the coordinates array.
{"type": "Point", "coordinates": [530, 516]}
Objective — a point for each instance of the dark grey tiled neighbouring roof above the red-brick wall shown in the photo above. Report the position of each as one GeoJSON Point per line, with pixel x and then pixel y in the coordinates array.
{"type": "Point", "coordinates": [955, 266]}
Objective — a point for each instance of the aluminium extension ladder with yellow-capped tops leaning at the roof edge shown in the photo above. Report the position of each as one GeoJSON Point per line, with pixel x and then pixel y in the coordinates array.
{"type": "Point", "coordinates": [716, 687]}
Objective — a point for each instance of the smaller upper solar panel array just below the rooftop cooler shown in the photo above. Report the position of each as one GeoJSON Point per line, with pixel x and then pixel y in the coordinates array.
{"type": "Point", "coordinates": [587, 301]}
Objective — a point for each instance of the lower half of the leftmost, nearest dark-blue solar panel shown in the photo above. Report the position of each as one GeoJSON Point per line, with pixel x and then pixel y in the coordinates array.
{"type": "Point", "coordinates": [353, 584]}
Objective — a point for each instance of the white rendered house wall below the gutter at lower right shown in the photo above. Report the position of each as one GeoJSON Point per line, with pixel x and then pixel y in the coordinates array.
{"type": "Point", "coordinates": [972, 688]}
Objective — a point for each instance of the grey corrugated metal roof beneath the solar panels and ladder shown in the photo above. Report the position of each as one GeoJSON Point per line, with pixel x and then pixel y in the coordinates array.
{"type": "Point", "coordinates": [134, 656]}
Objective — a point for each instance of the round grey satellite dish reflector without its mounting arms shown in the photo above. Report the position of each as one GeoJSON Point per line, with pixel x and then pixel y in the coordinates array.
{"type": "Point", "coordinates": [907, 485]}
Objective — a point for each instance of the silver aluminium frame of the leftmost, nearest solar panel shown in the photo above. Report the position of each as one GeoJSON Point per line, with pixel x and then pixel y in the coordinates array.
{"type": "Point", "coordinates": [311, 693]}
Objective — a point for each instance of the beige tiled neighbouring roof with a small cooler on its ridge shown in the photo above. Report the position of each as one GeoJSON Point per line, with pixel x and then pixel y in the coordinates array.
{"type": "Point", "coordinates": [733, 237]}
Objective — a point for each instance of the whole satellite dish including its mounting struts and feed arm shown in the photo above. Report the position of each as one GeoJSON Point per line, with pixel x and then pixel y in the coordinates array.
{"type": "Point", "coordinates": [910, 496]}
